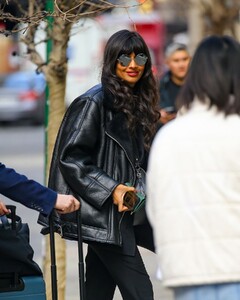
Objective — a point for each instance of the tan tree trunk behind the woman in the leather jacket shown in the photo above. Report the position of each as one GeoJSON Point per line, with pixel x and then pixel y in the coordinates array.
{"type": "Point", "coordinates": [56, 73]}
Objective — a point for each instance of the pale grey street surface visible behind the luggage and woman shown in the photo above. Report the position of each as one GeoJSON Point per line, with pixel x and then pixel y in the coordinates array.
{"type": "Point", "coordinates": [22, 147]}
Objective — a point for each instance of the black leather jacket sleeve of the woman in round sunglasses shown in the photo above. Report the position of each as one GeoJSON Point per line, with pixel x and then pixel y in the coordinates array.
{"type": "Point", "coordinates": [82, 128]}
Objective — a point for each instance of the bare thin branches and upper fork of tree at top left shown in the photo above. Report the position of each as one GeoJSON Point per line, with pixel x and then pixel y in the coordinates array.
{"type": "Point", "coordinates": [65, 13]}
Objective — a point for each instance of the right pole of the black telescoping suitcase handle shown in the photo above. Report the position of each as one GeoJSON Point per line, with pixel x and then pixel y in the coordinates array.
{"type": "Point", "coordinates": [80, 257]}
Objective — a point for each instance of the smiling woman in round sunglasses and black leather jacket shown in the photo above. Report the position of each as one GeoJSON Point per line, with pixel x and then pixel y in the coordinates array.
{"type": "Point", "coordinates": [103, 141]}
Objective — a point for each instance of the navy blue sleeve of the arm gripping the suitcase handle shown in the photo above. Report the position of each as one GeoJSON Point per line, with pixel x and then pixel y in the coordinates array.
{"type": "Point", "coordinates": [25, 191]}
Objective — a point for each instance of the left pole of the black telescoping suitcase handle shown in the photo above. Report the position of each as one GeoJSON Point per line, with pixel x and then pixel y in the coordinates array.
{"type": "Point", "coordinates": [53, 259]}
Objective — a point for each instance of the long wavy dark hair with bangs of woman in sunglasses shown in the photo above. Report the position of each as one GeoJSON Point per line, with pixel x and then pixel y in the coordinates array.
{"type": "Point", "coordinates": [140, 104]}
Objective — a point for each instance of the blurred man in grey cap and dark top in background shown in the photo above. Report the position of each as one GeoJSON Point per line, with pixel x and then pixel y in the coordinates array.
{"type": "Point", "coordinates": [177, 60]}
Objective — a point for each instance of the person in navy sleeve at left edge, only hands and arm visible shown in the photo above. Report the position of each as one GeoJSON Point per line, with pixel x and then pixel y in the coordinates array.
{"type": "Point", "coordinates": [32, 194]}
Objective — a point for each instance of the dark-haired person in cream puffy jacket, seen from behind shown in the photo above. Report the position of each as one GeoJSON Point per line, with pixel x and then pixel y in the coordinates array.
{"type": "Point", "coordinates": [193, 179]}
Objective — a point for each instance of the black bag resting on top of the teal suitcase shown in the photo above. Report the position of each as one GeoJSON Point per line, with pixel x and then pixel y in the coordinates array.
{"type": "Point", "coordinates": [16, 254]}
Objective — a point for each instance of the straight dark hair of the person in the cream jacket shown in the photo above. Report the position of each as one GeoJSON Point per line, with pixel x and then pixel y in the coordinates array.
{"type": "Point", "coordinates": [214, 74]}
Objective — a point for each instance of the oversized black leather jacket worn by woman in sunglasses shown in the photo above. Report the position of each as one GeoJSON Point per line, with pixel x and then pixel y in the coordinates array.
{"type": "Point", "coordinates": [92, 155]}
